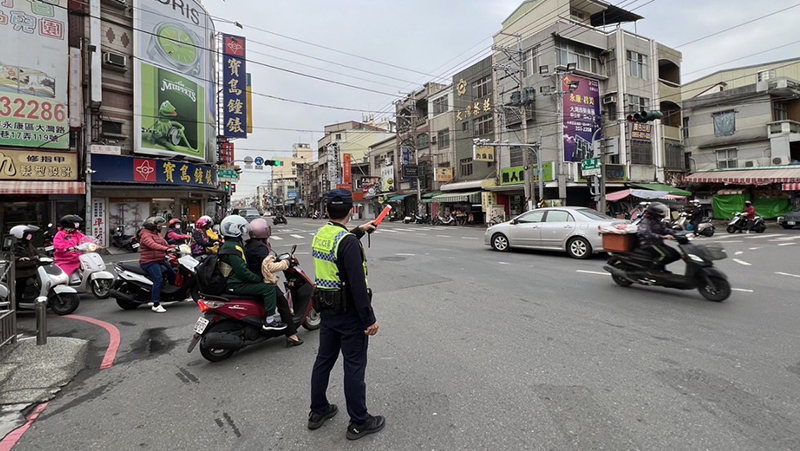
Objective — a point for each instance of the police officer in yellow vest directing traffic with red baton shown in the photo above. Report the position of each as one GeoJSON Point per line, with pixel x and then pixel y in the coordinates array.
{"type": "Point", "coordinates": [345, 305]}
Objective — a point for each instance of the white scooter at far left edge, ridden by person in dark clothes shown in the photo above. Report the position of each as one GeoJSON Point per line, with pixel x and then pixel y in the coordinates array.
{"type": "Point", "coordinates": [50, 283]}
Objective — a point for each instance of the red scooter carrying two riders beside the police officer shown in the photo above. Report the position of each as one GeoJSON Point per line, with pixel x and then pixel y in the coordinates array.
{"type": "Point", "coordinates": [231, 322]}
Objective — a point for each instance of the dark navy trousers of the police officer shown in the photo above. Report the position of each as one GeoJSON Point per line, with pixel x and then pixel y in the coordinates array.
{"type": "Point", "coordinates": [345, 332]}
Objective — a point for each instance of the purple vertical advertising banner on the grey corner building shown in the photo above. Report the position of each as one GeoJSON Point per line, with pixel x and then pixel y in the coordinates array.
{"type": "Point", "coordinates": [581, 116]}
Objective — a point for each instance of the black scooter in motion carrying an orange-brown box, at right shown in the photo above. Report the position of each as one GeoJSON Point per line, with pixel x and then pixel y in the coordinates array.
{"type": "Point", "coordinates": [636, 267]}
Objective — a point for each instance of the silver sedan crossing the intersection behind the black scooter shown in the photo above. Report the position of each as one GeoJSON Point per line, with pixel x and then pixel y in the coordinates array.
{"type": "Point", "coordinates": [570, 229]}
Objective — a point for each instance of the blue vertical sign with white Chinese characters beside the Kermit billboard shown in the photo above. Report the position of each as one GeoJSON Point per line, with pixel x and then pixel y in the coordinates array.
{"type": "Point", "coordinates": [234, 87]}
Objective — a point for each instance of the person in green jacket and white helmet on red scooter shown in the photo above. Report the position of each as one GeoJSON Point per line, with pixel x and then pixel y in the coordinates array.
{"type": "Point", "coordinates": [239, 278]}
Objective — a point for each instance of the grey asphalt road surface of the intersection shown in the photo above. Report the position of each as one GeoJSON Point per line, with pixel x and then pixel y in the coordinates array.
{"type": "Point", "coordinates": [477, 350]}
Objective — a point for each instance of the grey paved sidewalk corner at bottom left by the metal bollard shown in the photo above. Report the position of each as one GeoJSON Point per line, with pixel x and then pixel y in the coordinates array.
{"type": "Point", "coordinates": [31, 374]}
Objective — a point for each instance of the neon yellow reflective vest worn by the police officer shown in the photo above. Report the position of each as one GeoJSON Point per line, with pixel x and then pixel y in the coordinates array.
{"type": "Point", "coordinates": [325, 248]}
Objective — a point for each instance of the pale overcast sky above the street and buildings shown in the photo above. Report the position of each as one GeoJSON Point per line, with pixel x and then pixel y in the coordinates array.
{"type": "Point", "coordinates": [420, 40]}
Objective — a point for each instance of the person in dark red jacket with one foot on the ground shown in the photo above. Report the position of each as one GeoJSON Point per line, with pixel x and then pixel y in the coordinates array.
{"type": "Point", "coordinates": [154, 249]}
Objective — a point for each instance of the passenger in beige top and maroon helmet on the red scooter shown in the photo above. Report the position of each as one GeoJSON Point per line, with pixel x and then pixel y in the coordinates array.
{"type": "Point", "coordinates": [258, 253]}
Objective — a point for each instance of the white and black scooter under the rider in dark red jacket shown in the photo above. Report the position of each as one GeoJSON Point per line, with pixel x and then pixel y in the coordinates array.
{"type": "Point", "coordinates": [133, 286]}
